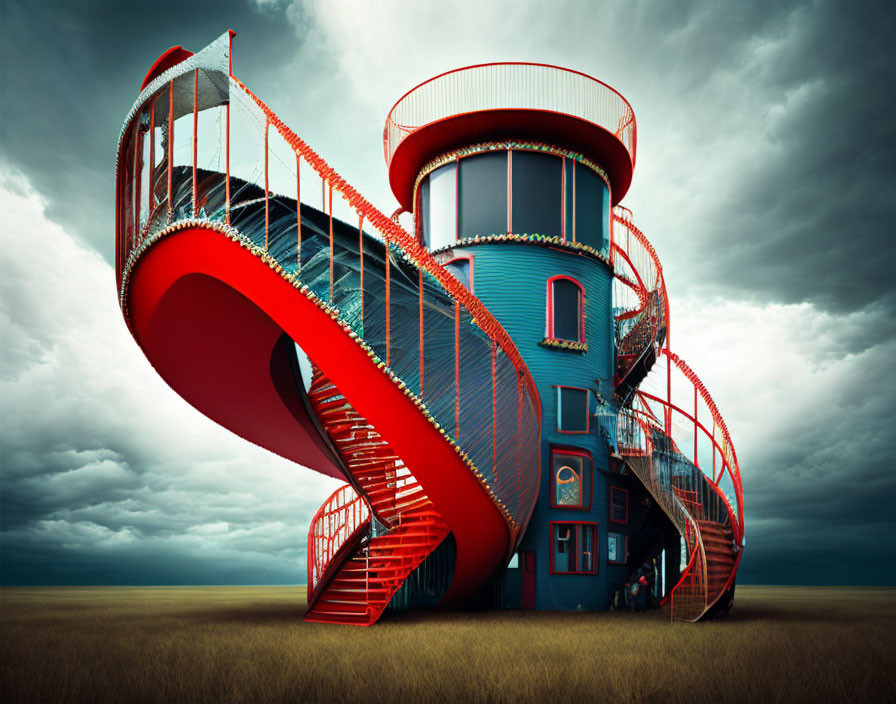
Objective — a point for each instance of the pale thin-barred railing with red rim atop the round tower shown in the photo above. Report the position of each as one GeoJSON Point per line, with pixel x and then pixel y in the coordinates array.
{"type": "Point", "coordinates": [511, 85]}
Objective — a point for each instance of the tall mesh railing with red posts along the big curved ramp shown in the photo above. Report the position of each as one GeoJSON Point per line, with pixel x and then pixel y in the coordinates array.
{"type": "Point", "coordinates": [199, 148]}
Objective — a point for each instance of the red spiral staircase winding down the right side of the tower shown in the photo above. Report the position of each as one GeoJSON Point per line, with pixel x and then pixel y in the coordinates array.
{"type": "Point", "coordinates": [662, 432]}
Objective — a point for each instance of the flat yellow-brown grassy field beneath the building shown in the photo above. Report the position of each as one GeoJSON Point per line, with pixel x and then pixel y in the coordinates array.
{"type": "Point", "coordinates": [249, 644]}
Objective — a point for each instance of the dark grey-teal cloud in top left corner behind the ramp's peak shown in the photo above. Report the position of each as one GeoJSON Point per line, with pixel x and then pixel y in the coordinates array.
{"type": "Point", "coordinates": [71, 71]}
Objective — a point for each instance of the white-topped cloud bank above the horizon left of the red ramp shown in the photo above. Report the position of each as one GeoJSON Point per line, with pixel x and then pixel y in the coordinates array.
{"type": "Point", "coordinates": [102, 464]}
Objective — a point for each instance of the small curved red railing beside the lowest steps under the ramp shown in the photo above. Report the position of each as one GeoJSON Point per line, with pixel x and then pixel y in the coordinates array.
{"type": "Point", "coordinates": [340, 521]}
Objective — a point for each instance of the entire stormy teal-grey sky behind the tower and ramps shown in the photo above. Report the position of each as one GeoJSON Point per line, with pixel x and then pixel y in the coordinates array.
{"type": "Point", "coordinates": [765, 180]}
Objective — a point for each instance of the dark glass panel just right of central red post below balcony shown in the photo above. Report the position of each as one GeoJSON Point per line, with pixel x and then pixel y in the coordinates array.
{"type": "Point", "coordinates": [537, 193]}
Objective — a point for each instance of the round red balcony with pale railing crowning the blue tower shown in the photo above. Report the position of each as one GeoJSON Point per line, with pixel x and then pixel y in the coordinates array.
{"type": "Point", "coordinates": [521, 101]}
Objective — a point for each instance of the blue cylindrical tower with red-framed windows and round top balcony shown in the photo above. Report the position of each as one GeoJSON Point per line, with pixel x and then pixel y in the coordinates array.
{"type": "Point", "coordinates": [511, 172]}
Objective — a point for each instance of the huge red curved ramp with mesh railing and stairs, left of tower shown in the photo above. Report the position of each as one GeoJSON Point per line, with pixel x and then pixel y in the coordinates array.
{"type": "Point", "coordinates": [244, 242]}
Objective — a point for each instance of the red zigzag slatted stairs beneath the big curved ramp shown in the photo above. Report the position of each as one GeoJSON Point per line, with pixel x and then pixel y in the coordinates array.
{"type": "Point", "coordinates": [360, 589]}
